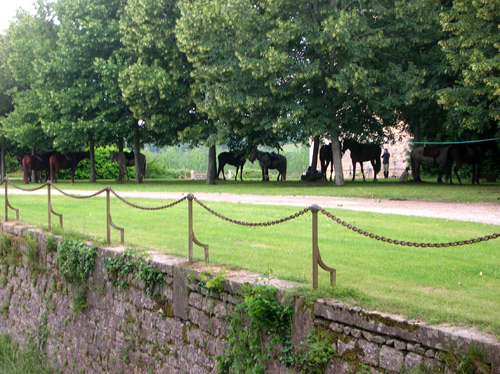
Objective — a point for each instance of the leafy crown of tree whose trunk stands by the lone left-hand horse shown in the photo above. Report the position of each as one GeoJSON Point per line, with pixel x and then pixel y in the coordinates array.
{"type": "Point", "coordinates": [156, 83]}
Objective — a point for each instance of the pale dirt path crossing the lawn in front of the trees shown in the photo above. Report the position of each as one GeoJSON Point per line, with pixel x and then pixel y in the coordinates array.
{"type": "Point", "coordinates": [475, 212]}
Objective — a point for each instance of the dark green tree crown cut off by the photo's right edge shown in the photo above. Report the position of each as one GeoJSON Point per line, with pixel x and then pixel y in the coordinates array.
{"type": "Point", "coordinates": [473, 53]}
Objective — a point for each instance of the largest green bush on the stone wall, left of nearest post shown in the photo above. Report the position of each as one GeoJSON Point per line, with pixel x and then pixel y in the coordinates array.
{"type": "Point", "coordinates": [258, 324]}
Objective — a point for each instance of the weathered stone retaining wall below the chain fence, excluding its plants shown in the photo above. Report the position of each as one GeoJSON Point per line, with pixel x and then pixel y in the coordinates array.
{"type": "Point", "coordinates": [184, 329]}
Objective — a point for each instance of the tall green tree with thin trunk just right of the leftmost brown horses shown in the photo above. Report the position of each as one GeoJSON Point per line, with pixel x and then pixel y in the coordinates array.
{"type": "Point", "coordinates": [73, 89]}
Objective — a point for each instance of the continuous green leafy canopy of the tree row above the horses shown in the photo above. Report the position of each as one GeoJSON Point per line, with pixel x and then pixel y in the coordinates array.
{"type": "Point", "coordinates": [84, 73]}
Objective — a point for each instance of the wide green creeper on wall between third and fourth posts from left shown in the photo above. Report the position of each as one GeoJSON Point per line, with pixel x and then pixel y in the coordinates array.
{"type": "Point", "coordinates": [132, 263]}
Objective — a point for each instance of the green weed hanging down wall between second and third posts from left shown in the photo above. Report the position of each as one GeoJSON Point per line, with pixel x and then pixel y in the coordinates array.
{"type": "Point", "coordinates": [76, 262]}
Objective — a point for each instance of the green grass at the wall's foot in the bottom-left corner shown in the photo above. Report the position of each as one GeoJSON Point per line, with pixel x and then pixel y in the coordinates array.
{"type": "Point", "coordinates": [14, 360]}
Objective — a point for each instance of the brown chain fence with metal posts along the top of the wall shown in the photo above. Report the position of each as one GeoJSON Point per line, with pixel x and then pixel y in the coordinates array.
{"type": "Point", "coordinates": [314, 209]}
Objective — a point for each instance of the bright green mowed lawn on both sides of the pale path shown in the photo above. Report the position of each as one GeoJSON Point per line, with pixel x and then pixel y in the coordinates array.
{"type": "Point", "coordinates": [454, 285]}
